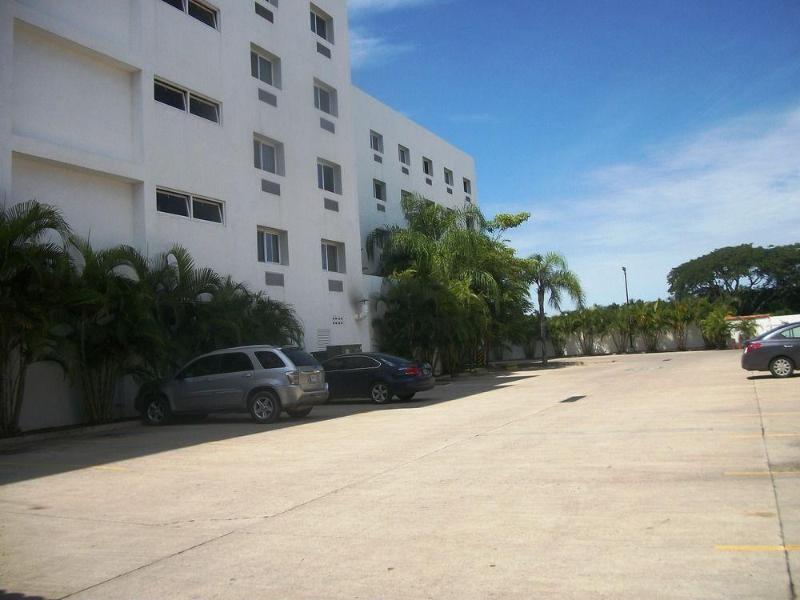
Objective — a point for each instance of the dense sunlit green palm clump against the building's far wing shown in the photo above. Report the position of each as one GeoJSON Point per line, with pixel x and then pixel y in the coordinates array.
{"type": "Point", "coordinates": [450, 263]}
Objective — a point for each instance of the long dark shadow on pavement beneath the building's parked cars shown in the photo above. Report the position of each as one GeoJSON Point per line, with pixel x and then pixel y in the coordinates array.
{"type": "Point", "coordinates": [33, 459]}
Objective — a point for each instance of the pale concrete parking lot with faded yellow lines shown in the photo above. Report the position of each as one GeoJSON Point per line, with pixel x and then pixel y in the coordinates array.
{"type": "Point", "coordinates": [671, 475]}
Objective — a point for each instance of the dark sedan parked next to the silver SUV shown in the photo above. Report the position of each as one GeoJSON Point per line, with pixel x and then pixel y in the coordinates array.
{"type": "Point", "coordinates": [376, 376]}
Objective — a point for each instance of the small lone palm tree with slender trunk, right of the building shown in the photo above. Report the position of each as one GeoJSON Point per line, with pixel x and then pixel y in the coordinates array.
{"type": "Point", "coordinates": [551, 278]}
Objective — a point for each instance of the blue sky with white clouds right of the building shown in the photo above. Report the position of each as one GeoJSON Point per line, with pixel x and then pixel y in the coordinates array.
{"type": "Point", "coordinates": [637, 133]}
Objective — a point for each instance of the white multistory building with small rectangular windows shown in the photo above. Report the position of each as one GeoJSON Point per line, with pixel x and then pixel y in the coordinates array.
{"type": "Point", "coordinates": [230, 128]}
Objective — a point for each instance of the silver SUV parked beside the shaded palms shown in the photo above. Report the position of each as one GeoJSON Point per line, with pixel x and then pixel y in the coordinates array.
{"type": "Point", "coordinates": [261, 380]}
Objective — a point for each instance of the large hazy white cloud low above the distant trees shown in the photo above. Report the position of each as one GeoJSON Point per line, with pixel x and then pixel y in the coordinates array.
{"type": "Point", "coordinates": [737, 183]}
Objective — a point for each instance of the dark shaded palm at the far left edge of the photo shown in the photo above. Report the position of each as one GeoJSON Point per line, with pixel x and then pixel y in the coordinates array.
{"type": "Point", "coordinates": [27, 293]}
